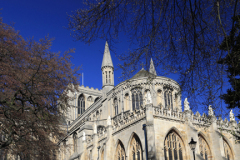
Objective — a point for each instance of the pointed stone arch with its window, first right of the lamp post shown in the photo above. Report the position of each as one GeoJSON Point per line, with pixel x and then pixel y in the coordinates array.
{"type": "Point", "coordinates": [204, 147]}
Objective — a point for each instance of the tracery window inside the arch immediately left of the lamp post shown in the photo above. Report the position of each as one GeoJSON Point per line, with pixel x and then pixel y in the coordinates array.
{"type": "Point", "coordinates": [173, 147]}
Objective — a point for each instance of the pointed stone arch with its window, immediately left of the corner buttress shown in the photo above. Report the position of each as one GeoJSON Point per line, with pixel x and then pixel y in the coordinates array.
{"type": "Point", "coordinates": [135, 147]}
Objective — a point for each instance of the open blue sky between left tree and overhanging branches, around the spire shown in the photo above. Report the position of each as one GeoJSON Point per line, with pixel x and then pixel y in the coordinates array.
{"type": "Point", "coordinates": [49, 17]}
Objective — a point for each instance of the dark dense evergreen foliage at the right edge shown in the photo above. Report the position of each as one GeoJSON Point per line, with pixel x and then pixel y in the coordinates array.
{"type": "Point", "coordinates": [231, 45]}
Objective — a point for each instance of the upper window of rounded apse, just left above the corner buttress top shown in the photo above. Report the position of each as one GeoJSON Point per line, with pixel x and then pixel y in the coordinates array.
{"type": "Point", "coordinates": [136, 98]}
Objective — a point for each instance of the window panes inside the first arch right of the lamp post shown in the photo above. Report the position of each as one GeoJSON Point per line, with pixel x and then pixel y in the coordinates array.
{"type": "Point", "coordinates": [203, 148]}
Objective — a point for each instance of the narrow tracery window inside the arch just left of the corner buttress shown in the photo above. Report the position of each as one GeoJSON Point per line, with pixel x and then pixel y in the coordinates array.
{"type": "Point", "coordinates": [135, 149]}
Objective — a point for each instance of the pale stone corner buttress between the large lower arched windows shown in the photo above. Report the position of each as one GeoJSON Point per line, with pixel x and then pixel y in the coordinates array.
{"type": "Point", "coordinates": [150, 132]}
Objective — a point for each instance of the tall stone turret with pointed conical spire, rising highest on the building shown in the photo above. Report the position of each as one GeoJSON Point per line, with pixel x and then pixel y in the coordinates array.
{"type": "Point", "coordinates": [107, 70]}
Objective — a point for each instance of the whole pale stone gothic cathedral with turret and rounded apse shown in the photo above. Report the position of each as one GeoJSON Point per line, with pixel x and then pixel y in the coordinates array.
{"type": "Point", "coordinates": [142, 118]}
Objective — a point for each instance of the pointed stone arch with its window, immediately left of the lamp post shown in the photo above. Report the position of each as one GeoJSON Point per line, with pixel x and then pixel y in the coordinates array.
{"type": "Point", "coordinates": [174, 146]}
